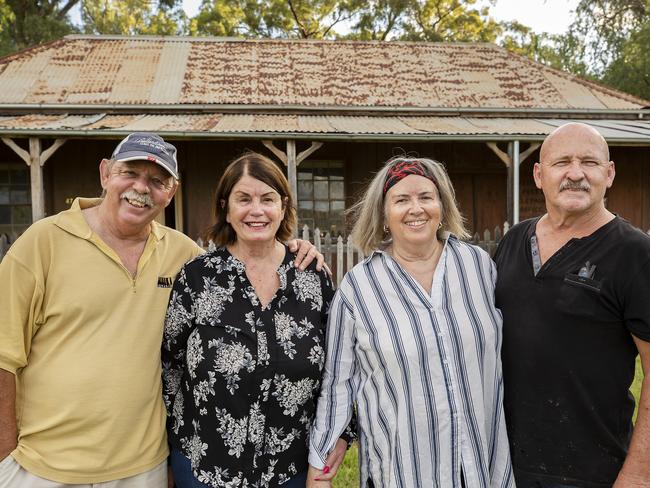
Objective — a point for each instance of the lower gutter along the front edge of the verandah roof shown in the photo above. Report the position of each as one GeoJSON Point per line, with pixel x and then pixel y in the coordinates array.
{"type": "Point", "coordinates": [118, 134]}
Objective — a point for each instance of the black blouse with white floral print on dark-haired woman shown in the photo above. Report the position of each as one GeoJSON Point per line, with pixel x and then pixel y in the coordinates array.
{"type": "Point", "coordinates": [239, 380]}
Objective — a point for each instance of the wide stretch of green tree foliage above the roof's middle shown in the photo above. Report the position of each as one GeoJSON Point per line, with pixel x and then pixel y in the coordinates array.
{"type": "Point", "coordinates": [418, 20]}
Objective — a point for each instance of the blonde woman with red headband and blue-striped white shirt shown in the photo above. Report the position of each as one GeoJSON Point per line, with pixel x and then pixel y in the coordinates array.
{"type": "Point", "coordinates": [413, 343]}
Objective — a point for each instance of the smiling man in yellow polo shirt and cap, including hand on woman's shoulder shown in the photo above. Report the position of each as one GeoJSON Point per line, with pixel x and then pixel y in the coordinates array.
{"type": "Point", "coordinates": [81, 311]}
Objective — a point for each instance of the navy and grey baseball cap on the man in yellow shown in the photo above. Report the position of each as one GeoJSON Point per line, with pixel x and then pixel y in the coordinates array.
{"type": "Point", "coordinates": [147, 147]}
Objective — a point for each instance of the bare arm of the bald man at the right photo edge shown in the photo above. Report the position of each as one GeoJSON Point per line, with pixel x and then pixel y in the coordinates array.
{"type": "Point", "coordinates": [636, 469]}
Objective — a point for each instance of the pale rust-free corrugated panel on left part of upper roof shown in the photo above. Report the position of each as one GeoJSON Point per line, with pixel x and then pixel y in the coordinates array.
{"type": "Point", "coordinates": [170, 73]}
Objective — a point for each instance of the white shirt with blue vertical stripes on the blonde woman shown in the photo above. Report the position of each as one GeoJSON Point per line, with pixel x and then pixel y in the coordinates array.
{"type": "Point", "coordinates": [424, 371]}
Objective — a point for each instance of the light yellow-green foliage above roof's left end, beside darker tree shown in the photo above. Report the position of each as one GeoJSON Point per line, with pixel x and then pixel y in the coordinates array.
{"type": "Point", "coordinates": [132, 17]}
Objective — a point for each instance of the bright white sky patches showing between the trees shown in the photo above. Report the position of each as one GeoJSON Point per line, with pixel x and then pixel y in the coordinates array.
{"type": "Point", "coordinates": [552, 16]}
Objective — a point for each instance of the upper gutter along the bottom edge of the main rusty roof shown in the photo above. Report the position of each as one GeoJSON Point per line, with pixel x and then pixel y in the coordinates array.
{"type": "Point", "coordinates": [166, 109]}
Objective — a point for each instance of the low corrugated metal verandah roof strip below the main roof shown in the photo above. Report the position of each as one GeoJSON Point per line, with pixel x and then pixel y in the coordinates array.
{"type": "Point", "coordinates": [316, 127]}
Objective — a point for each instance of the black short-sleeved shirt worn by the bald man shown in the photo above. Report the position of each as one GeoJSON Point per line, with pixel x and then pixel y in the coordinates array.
{"type": "Point", "coordinates": [568, 354]}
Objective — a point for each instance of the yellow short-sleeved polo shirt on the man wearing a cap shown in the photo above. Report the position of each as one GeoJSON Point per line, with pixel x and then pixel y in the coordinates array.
{"type": "Point", "coordinates": [83, 338]}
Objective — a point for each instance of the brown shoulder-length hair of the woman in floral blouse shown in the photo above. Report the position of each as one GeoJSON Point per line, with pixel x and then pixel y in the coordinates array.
{"type": "Point", "coordinates": [261, 168]}
